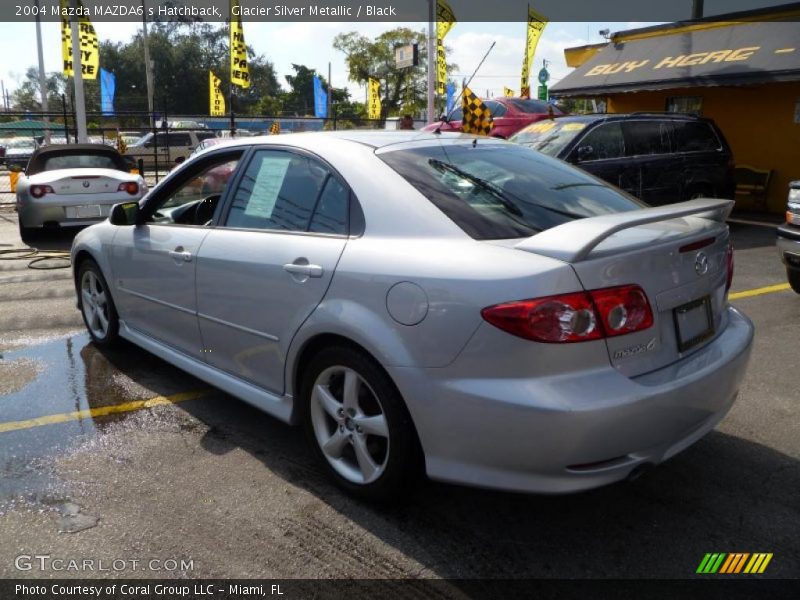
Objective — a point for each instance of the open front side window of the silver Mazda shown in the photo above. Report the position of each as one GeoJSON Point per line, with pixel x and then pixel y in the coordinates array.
{"type": "Point", "coordinates": [193, 199]}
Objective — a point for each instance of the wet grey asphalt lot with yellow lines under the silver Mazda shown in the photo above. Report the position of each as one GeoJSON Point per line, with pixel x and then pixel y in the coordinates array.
{"type": "Point", "coordinates": [162, 467]}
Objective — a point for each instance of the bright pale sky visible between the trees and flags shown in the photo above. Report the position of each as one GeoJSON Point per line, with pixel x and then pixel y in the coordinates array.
{"type": "Point", "coordinates": [311, 44]}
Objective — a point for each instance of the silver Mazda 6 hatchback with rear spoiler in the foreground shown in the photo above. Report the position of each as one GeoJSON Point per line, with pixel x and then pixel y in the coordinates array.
{"type": "Point", "coordinates": [438, 303]}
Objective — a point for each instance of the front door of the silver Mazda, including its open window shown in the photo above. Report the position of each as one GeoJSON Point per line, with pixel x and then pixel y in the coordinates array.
{"type": "Point", "coordinates": [154, 263]}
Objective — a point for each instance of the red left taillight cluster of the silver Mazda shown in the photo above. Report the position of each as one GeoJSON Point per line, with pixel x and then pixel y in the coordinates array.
{"type": "Point", "coordinates": [577, 317]}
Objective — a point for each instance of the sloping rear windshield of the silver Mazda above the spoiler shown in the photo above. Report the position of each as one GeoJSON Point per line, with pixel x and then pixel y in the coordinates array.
{"type": "Point", "coordinates": [503, 191]}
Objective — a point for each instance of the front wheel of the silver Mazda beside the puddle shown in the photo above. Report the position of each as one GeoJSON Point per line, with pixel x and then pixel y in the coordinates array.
{"type": "Point", "coordinates": [96, 304]}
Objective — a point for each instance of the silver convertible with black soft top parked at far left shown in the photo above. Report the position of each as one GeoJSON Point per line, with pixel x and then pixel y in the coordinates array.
{"type": "Point", "coordinates": [73, 185]}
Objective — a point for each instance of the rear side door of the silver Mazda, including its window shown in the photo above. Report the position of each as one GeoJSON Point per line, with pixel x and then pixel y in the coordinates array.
{"type": "Point", "coordinates": [266, 268]}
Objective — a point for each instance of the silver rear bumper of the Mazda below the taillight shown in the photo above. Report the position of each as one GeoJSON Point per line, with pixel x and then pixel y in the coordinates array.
{"type": "Point", "coordinates": [573, 431]}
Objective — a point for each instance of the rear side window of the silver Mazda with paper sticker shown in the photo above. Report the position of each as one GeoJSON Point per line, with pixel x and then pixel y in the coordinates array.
{"type": "Point", "coordinates": [285, 191]}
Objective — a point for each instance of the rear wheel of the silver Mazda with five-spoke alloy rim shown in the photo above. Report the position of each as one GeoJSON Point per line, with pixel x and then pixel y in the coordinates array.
{"type": "Point", "coordinates": [366, 441]}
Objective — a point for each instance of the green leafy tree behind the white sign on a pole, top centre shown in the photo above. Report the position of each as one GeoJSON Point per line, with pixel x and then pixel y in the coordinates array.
{"type": "Point", "coordinates": [402, 90]}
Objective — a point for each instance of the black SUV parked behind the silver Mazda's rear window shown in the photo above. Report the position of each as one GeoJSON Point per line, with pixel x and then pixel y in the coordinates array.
{"type": "Point", "coordinates": [658, 157]}
